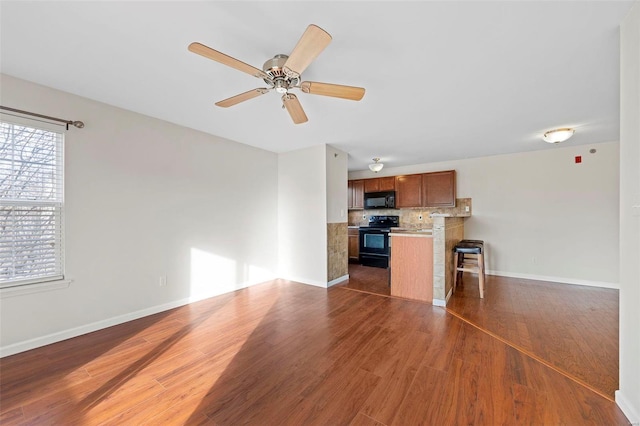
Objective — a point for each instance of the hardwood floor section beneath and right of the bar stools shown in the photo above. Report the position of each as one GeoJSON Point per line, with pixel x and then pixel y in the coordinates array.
{"type": "Point", "coordinates": [573, 328]}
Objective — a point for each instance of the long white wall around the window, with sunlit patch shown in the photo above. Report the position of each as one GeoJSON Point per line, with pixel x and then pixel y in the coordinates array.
{"type": "Point", "coordinates": [144, 198]}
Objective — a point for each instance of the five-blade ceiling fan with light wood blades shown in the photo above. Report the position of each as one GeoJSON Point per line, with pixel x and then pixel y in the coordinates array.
{"type": "Point", "coordinates": [282, 73]}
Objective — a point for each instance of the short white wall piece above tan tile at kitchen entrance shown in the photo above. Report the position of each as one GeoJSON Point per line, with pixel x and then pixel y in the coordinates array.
{"type": "Point", "coordinates": [337, 164]}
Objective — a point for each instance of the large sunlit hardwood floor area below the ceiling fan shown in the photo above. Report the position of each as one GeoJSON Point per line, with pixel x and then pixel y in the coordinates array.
{"type": "Point", "coordinates": [286, 353]}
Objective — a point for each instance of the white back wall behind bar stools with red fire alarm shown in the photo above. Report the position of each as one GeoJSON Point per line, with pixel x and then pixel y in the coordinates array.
{"type": "Point", "coordinates": [542, 216]}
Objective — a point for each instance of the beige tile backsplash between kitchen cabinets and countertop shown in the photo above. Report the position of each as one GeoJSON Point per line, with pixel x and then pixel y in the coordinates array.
{"type": "Point", "coordinates": [410, 217]}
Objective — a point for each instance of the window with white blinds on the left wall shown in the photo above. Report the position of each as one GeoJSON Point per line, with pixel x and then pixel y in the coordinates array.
{"type": "Point", "coordinates": [31, 205]}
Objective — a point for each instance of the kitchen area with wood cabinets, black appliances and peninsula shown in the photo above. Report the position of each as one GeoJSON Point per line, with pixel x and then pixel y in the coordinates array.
{"type": "Point", "coordinates": [401, 233]}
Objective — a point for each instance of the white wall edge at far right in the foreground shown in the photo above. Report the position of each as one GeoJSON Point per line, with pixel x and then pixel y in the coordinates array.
{"type": "Point", "coordinates": [628, 397]}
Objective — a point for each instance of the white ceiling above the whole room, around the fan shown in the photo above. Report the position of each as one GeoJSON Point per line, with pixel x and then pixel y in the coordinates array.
{"type": "Point", "coordinates": [444, 80]}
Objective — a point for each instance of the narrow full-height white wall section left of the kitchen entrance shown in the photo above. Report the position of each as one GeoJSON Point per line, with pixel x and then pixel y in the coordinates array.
{"type": "Point", "coordinates": [302, 216]}
